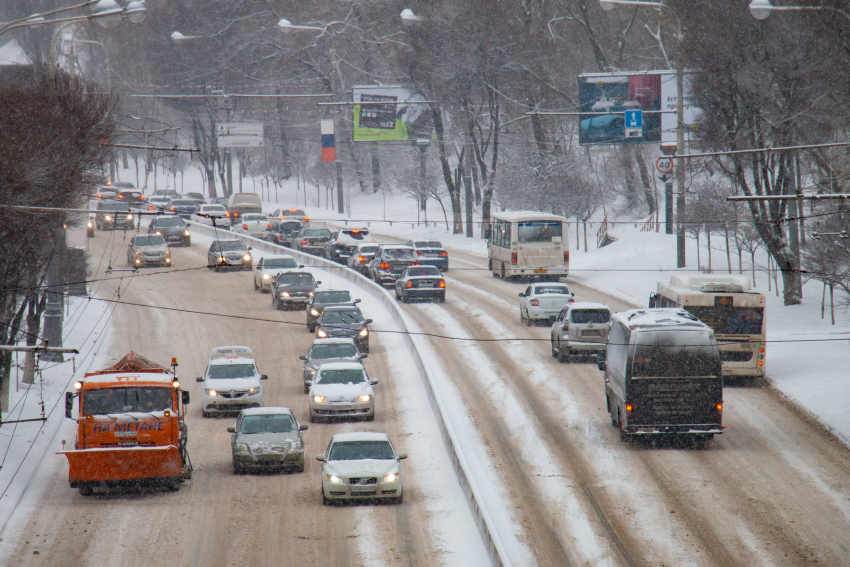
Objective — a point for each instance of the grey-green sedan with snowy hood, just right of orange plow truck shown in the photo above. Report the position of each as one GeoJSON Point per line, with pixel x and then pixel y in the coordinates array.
{"type": "Point", "coordinates": [265, 438]}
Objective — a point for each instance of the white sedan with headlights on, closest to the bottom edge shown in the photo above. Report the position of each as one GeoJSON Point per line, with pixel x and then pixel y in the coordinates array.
{"type": "Point", "coordinates": [359, 466]}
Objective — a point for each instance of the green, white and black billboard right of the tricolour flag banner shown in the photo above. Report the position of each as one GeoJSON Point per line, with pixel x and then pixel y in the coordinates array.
{"type": "Point", "coordinates": [384, 114]}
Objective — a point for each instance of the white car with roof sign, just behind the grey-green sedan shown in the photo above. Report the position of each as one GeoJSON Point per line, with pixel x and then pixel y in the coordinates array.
{"type": "Point", "coordinates": [231, 382]}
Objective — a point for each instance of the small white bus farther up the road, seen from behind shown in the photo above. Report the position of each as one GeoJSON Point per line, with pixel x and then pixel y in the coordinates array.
{"type": "Point", "coordinates": [528, 244]}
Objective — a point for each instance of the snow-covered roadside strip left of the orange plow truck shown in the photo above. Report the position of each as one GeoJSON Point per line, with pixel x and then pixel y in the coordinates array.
{"type": "Point", "coordinates": [23, 446]}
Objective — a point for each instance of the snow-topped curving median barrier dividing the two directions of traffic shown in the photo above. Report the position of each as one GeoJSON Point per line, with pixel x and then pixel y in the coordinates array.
{"type": "Point", "coordinates": [480, 512]}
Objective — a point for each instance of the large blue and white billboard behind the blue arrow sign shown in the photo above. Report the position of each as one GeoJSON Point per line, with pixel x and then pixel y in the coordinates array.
{"type": "Point", "coordinates": [607, 96]}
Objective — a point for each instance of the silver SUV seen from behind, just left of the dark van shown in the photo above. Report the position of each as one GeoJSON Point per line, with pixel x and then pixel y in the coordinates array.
{"type": "Point", "coordinates": [580, 329]}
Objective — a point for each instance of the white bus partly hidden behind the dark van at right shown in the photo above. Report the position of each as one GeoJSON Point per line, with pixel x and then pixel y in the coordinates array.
{"type": "Point", "coordinates": [728, 305]}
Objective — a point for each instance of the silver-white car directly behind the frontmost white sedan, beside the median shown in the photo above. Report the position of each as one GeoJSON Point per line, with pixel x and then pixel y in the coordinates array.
{"type": "Point", "coordinates": [341, 389]}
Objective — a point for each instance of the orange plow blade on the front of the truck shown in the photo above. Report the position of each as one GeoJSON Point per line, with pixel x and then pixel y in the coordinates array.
{"type": "Point", "coordinates": [123, 464]}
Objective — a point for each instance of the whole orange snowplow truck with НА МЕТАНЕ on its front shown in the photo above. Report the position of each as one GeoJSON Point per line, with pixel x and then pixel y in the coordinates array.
{"type": "Point", "coordinates": [130, 427]}
